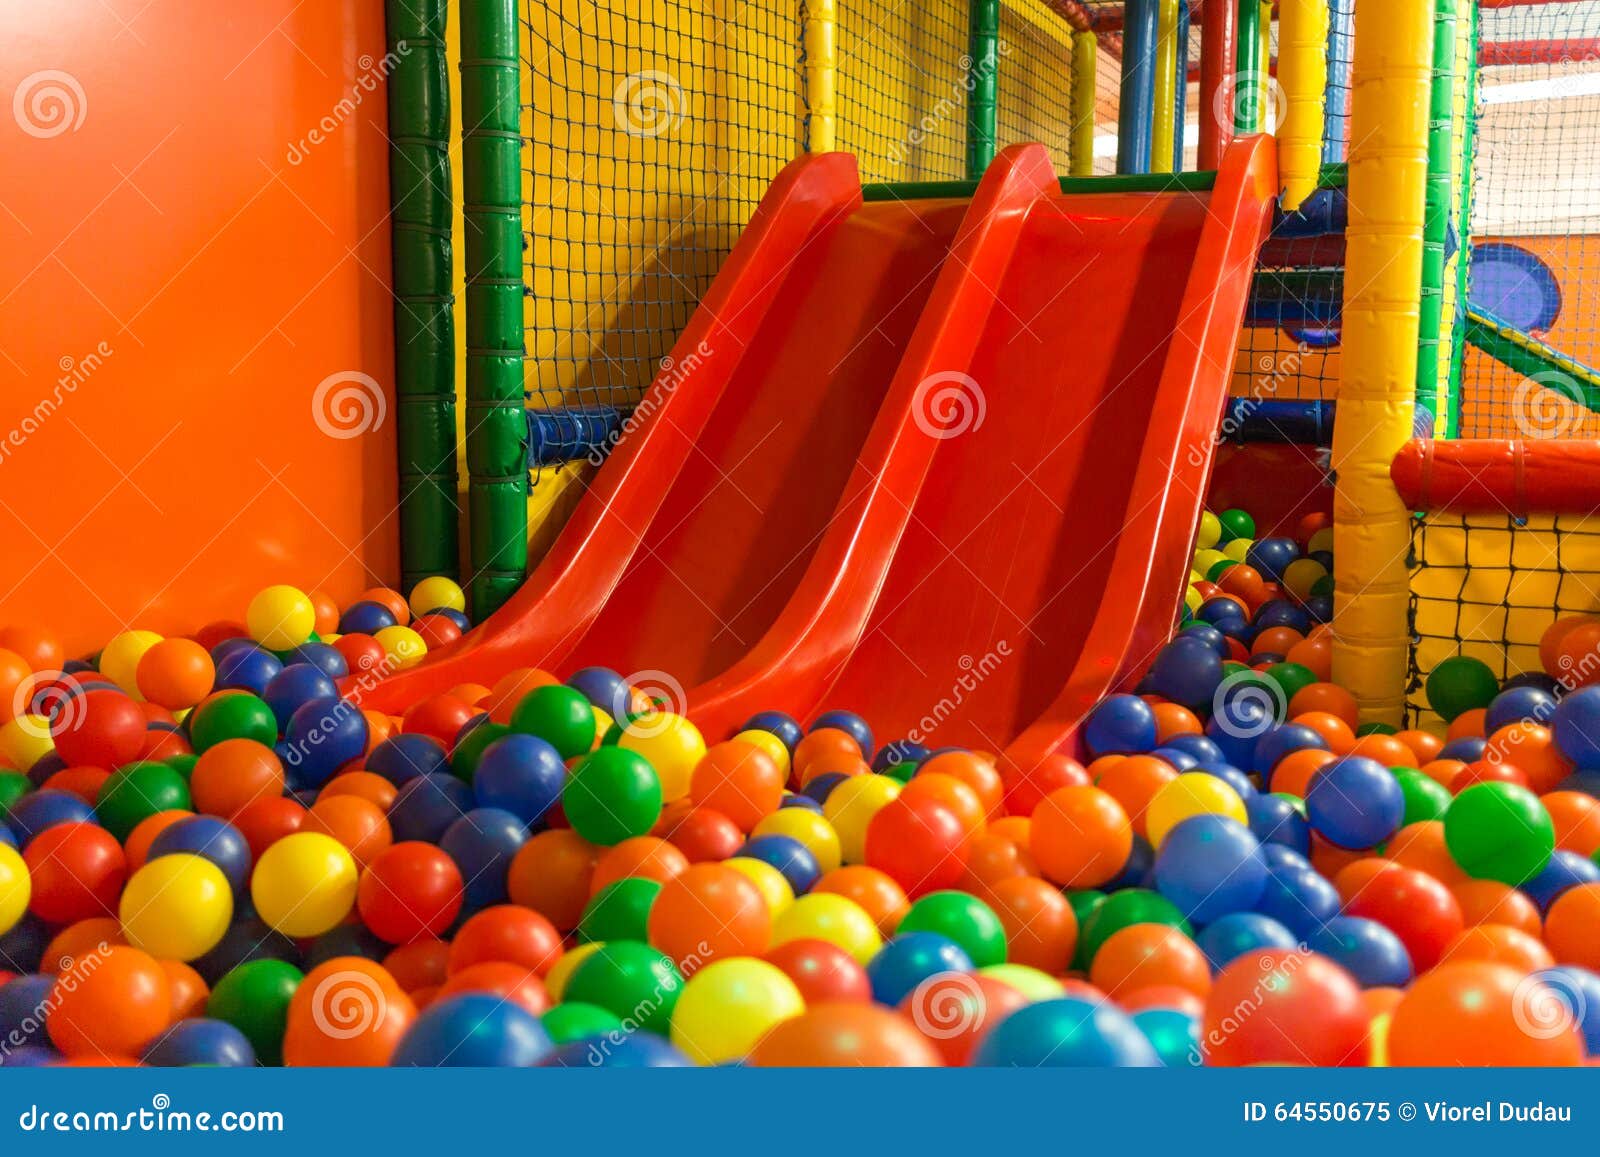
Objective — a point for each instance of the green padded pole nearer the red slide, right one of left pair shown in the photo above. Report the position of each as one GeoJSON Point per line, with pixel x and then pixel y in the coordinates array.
{"type": "Point", "coordinates": [492, 214]}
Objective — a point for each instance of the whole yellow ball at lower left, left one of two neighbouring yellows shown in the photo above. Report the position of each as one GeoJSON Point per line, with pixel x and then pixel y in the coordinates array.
{"type": "Point", "coordinates": [177, 908]}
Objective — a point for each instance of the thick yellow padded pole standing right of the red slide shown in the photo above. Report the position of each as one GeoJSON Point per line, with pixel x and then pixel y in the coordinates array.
{"type": "Point", "coordinates": [1390, 121]}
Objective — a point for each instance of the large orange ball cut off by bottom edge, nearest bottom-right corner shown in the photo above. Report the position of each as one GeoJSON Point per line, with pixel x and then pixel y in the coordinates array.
{"type": "Point", "coordinates": [1478, 1014]}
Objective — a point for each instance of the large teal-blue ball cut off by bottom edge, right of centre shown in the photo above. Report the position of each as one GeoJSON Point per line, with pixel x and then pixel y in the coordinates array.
{"type": "Point", "coordinates": [1066, 1033]}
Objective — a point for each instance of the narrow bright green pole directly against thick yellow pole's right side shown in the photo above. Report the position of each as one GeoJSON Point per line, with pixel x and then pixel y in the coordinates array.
{"type": "Point", "coordinates": [1436, 222]}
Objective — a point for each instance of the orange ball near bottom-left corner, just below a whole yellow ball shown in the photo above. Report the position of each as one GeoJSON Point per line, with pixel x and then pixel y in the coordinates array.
{"type": "Point", "coordinates": [113, 1011]}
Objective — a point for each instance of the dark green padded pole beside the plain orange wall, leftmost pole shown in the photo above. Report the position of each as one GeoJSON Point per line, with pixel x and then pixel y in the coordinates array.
{"type": "Point", "coordinates": [425, 319]}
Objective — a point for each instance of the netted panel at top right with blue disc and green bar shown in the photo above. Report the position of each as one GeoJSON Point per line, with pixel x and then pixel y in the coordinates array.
{"type": "Point", "coordinates": [1537, 225]}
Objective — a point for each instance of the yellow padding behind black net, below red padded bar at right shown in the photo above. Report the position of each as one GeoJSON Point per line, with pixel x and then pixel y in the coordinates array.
{"type": "Point", "coordinates": [1487, 590]}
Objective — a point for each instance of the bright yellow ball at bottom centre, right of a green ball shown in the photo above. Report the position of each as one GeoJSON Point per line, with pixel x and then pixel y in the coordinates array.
{"type": "Point", "coordinates": [729, 1006]}
